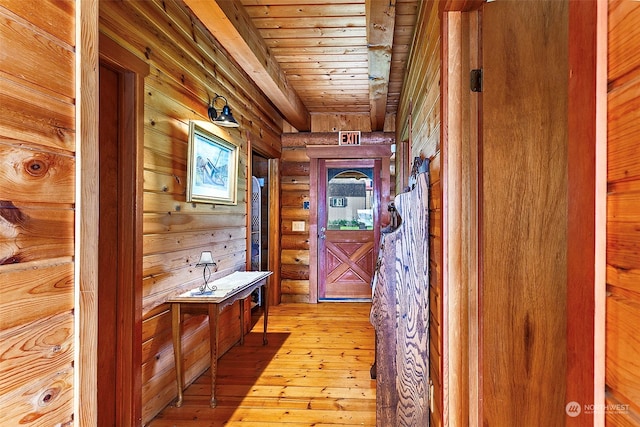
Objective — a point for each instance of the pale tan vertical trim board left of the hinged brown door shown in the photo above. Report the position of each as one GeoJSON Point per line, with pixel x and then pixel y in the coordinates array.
{"type": "Point", "coordinates": [454, 288]}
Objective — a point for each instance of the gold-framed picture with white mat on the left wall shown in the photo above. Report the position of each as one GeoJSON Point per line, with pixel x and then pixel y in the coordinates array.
{"type": "Point", "coordinates": [212, 166]}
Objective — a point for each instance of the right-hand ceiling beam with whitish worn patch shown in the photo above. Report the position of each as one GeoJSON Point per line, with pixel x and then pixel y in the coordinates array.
{"type": "Point", "coordinates": [381, 19]}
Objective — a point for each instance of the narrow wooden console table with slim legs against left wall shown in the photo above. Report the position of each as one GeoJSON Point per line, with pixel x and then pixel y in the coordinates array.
{"type": "Point", "coordinates": [234, 287]}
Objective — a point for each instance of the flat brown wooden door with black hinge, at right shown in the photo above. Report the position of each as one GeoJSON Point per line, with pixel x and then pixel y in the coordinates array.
{"type": "Point", "coordinates": [523, 219]}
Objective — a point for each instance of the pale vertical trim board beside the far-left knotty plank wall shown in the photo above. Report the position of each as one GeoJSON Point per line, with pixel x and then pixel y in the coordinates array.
{"type": "Point", "coordinates": [87, 205]}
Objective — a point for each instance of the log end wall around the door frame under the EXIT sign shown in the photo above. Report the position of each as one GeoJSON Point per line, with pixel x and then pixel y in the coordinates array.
{"type": "Point", "coordinates": [295, 188]}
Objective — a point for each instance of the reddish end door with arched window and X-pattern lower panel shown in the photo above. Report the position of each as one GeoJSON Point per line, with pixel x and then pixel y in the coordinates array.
{"type": "Point", "coordinates": [348, 224]}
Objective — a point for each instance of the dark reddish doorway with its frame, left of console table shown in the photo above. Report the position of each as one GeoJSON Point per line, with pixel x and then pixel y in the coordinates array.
{"type": "Point", "coordinates": [119, 355]}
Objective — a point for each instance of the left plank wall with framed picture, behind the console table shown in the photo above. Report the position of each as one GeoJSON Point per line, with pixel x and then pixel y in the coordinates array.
{"type": "Point", "coordinates": [187, 68]}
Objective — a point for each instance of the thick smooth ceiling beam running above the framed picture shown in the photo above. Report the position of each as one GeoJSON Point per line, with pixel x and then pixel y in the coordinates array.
{"type": "Point", "coordinates": [232, 27]}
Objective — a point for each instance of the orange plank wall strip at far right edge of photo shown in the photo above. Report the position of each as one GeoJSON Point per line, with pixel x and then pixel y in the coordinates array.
{"type": "Point", "coordinates": [622, 374]}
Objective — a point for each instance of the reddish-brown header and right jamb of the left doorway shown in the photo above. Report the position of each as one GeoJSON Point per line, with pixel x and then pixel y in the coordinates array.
{"type": "Point", "coordinates": [130, 251]}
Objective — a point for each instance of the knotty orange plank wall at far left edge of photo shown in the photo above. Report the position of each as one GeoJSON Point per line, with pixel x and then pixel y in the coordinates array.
{"type": "Point", "coordinates": [37, 199]}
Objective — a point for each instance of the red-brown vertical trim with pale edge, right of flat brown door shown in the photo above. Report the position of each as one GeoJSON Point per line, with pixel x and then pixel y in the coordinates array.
{"type": "Point", "coordinates": [587, 186]}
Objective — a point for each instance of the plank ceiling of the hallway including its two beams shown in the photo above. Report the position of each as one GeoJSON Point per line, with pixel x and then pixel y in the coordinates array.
{"type": "Point", "coordinates": [318, 56]}
